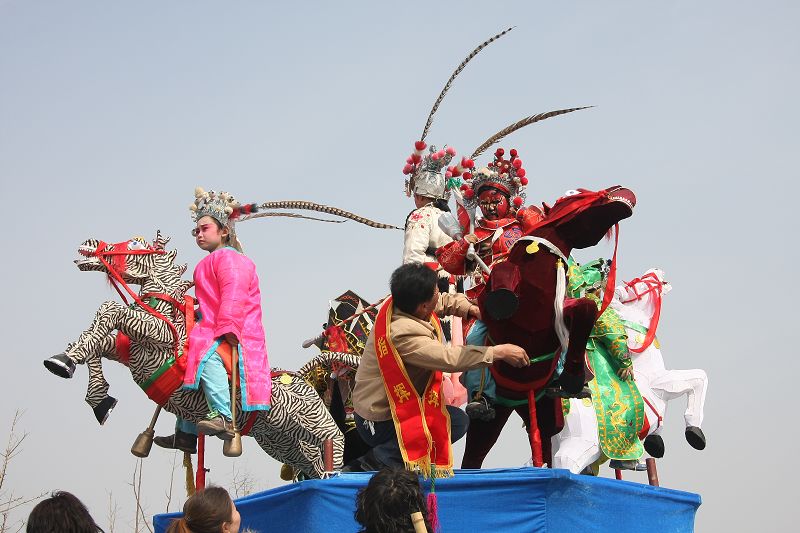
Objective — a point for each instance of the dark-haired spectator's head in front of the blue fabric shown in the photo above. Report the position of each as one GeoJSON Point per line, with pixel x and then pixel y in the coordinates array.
{"type": "Point", "coordinates": [386, 503]}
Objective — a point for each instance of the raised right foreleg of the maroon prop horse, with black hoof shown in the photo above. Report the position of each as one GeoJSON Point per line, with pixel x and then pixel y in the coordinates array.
{"type": "Point", "coordinates": [579, 316]}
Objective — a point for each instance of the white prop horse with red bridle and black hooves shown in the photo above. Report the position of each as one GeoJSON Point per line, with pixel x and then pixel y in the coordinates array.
{"type": "Point", "coordinates": [638, 303]}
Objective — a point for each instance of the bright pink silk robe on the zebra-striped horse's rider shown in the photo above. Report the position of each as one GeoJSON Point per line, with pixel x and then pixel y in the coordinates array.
{"type": "Point", "coordinates": [226, 287]}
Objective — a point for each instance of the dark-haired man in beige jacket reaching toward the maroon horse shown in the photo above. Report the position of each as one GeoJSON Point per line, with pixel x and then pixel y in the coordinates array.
{"type": "Point", "coordinates": [415, 297]}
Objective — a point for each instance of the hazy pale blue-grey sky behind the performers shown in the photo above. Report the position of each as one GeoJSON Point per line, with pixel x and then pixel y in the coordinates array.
{"type": "Point", "coordinates": [111, 113]}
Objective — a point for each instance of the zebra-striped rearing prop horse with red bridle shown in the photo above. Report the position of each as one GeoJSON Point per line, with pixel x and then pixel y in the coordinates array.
{"type": "Point", "coordinates": [148, 334]}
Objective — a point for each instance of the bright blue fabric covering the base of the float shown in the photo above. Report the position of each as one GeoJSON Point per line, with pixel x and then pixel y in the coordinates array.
{"type": "Point", "coordinates": [503, 500]}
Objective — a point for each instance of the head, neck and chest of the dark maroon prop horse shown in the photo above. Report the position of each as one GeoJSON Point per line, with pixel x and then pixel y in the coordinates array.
{"type": "Point", "coordinates": [522, 301]}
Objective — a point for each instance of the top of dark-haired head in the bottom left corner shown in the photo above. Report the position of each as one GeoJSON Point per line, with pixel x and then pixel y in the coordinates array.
{"type": "Point", "coordinates": [62, 512]}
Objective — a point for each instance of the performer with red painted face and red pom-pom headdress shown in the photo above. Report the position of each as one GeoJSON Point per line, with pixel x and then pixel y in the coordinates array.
{"type": "Point", "coordinates": [498, 190]}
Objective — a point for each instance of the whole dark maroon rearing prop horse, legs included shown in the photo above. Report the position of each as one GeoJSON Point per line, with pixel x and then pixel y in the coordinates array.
{"type": "Point", "coordinates": [525, 303]}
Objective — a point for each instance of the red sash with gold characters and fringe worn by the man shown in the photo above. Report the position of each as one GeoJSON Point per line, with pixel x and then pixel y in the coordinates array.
{"type": "Point", "coordinates": [422, 424]}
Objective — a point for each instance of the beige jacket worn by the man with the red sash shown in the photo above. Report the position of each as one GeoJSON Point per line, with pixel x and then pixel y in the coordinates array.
{"type": "Point", "coordinates": [421, 352]}
